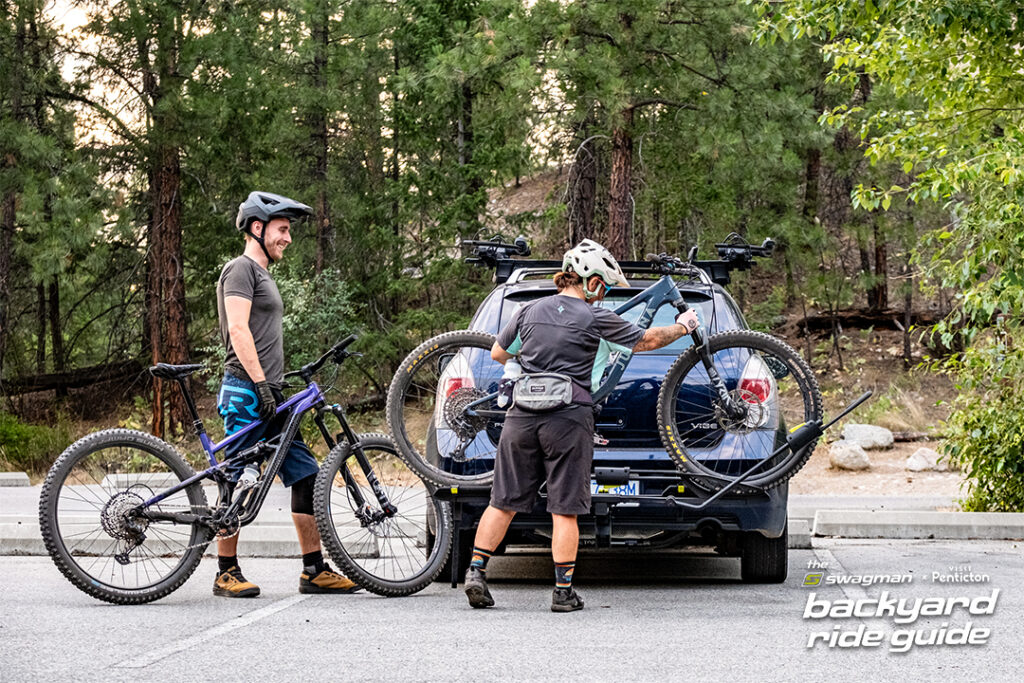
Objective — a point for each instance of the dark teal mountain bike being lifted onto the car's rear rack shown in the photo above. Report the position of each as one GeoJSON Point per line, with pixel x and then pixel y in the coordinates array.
{"type": "Point", "coordinates": [736, 408]}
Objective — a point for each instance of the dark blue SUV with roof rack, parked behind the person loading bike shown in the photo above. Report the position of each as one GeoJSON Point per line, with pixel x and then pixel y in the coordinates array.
{"type": "Point", "coordinates": [752, 527]}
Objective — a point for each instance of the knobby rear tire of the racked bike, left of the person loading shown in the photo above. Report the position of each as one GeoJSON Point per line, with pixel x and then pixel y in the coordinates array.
{"type": "Point", "coordinates": [404, 379]}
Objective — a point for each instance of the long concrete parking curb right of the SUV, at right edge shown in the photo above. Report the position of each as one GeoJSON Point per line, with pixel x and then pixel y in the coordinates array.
{"type": "Point", "coordinates": [919, 525]}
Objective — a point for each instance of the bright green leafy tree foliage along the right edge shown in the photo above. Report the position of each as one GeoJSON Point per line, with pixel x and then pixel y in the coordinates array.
{"type": "Point", "coordinates": [959, 144]}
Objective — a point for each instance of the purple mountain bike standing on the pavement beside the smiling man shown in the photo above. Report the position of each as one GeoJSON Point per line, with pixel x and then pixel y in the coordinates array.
{"type": "Point", "coordinates": [126, 519]}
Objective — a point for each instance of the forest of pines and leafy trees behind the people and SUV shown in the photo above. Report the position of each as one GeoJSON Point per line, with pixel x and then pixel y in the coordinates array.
{"type": "Point", "coordinates": [878, 143]}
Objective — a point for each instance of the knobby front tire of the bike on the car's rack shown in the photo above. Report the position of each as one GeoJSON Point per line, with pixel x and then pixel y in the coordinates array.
{"type": "Point", "coordinates": [789, 463]}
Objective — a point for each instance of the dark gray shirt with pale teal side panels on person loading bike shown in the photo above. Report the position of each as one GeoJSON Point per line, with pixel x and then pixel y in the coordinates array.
{"type": "Point", "coordinates": [564, 334]}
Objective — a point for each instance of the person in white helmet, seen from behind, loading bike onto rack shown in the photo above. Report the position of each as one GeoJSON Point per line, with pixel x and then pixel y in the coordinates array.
{"type": "Point", "coordinates": [565, 334]}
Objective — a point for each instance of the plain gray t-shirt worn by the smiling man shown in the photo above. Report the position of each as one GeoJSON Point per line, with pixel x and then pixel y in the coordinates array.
{"type": "Point", "coordinates": [247, 279]}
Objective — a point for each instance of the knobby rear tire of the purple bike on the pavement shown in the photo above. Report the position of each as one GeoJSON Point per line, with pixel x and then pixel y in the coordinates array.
{"type": "Point", "coordinates": [57, 546]}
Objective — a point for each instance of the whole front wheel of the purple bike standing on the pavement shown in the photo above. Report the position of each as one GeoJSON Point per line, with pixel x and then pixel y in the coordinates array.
{"type": "Point", "coordinates": [378, 519]}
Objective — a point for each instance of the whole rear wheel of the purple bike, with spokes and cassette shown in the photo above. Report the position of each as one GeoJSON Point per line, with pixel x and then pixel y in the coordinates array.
{"type": "Point", "coordinates": [92, 532]}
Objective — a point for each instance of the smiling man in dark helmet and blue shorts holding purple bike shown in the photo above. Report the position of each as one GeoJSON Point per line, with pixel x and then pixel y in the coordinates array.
{"type": "Point", "coordinates": [251, 312]}
